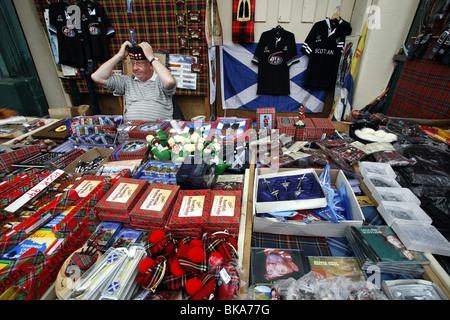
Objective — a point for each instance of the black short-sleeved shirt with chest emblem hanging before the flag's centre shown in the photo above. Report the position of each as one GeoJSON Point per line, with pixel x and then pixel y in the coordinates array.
{"type": "Point", "coordinates": [275, 53]}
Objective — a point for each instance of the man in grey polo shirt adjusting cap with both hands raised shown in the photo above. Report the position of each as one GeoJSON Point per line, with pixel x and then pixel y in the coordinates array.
{"type": "Point", "coordinates": [148, 92]}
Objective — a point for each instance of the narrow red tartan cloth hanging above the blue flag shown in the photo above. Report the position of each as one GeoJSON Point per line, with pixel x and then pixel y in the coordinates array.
{"type": "Point", "coordinates": [243, 31]}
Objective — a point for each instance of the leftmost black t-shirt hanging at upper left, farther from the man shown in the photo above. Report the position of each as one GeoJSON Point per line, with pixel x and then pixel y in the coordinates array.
{"type": "Point", "coordinates": [70, 48]}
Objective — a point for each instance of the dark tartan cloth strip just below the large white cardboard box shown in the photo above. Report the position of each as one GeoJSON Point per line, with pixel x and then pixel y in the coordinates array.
{"type": "Point", "coordinates": [312, 246]}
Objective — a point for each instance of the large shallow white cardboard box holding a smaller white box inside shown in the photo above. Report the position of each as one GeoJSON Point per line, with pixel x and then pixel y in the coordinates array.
{"type": "Point", "coordinates": [316, 228]}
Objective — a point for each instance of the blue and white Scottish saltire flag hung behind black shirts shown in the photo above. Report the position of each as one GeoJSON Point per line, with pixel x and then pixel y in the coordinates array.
{"type": "Point", "coordinates": [239, 80]}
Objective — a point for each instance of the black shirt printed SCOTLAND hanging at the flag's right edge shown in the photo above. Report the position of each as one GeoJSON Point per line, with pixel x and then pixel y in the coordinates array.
{"type": "Point", "coordinates": [324, 46]}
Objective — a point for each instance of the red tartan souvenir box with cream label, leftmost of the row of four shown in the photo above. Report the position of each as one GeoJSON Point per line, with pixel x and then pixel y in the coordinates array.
{"type": "Point", "coordinates": [118, 202]}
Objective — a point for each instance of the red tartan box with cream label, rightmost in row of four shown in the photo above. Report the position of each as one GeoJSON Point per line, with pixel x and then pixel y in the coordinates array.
{"type": "Point", "coordinates": [225, 212]}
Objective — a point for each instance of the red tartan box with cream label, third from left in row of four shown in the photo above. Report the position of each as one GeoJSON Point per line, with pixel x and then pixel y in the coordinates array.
{"type": "Point", "coordinates": [191, 210]}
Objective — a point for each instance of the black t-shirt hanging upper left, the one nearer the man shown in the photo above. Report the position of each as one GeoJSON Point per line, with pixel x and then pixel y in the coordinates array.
{"type": "Point", "coordinates": [96, 27]}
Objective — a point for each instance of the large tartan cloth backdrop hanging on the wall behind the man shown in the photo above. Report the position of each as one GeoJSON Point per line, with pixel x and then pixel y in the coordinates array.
{"type": "Point", "coordinates": [154, 22]}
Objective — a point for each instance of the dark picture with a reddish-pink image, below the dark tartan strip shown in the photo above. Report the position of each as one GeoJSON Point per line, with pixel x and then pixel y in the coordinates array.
{"type": "Point", "coordinates": [269, 265]}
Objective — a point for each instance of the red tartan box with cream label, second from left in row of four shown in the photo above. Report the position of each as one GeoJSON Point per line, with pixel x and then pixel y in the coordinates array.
{"type": "Point", "coordinates": [154, 206]}
